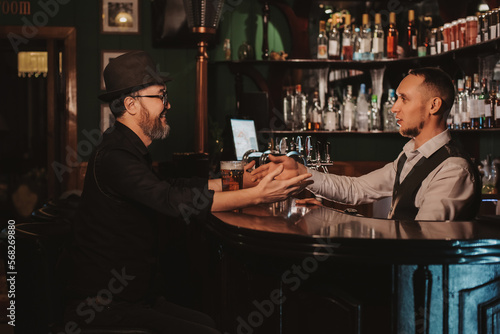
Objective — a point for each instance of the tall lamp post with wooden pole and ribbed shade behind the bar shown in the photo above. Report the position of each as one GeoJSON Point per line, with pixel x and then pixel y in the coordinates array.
{"type": "Point", "coordinates": [203, 18]}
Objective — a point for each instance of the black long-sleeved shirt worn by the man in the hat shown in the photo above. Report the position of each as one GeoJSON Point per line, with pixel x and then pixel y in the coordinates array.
{"type": "Point", "coordinates": [115, 234]}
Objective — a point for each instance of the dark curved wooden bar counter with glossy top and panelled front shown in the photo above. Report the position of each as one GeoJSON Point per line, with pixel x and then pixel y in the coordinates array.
{"type": "Point", "coordinates": [286, 268]}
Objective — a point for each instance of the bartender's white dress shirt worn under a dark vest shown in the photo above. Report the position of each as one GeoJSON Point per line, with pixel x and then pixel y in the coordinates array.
{"type": "Point", "coordinates": [443, 193]}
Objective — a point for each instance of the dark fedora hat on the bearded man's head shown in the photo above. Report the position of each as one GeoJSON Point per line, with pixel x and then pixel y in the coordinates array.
{"type": "Point", "coordinates": [130, 72]}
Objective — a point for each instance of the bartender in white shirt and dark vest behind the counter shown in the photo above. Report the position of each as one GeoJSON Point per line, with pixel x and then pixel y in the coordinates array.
{"type": "Point", "coordinates": [431, 179]}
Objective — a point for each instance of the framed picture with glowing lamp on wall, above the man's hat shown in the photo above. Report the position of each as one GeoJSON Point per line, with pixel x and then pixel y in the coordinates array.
{"type": "Point", "coordinates": [120, 16]}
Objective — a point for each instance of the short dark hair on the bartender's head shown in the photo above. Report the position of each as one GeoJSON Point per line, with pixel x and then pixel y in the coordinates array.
{"type": "Point", "coordinates": [437, 81]}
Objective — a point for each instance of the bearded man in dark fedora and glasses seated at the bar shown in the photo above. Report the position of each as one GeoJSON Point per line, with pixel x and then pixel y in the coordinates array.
{"type": "Point", "coordinates": [115, 242]}
